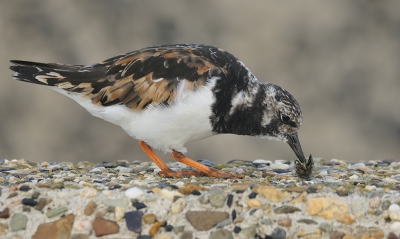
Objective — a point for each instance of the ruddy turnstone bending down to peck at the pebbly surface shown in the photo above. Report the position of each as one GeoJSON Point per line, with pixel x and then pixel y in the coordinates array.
{"type": "Point", "coordinates": [166, 96]}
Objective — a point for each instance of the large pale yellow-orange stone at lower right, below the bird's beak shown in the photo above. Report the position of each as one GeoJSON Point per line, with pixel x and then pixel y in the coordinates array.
{"type": "Point", "coordinates": [326, 207]}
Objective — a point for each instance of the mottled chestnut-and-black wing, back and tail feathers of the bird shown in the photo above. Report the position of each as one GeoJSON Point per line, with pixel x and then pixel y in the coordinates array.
{"type": "Point", "coordinates": [156, 75]}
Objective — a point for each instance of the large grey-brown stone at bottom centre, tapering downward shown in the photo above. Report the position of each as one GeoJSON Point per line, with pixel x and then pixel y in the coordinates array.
{"type": "Point", "coordinates": [205, 220]}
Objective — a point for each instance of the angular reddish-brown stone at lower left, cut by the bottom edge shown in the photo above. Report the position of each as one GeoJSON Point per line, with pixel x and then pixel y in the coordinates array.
{"type": "Point", "coordinates": [60, 228]}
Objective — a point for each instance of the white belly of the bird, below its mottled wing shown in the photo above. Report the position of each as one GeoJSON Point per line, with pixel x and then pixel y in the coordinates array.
{"type": "Point", "coordinates": [164, 127]}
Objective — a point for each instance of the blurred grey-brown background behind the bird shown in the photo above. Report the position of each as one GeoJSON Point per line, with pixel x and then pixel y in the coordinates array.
{"type": "Point", "coordinates": [340, 59]}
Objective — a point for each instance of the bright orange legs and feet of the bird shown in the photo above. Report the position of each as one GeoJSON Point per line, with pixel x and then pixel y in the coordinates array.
{"type": "Point", "coordinates": [165, 170]}
